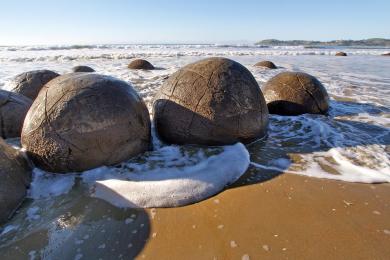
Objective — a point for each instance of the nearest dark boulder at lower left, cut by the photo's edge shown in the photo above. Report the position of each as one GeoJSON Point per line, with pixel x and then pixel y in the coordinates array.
{"type": "Point", "coordinates": [15, 175]}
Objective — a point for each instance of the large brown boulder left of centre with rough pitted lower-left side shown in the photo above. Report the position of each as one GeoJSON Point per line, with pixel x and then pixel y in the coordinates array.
{"type": "Point", "coordinates": [80, 121]}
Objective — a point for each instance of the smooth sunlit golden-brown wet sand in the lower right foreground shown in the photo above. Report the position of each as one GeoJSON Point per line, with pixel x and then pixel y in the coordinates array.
{"type": "Point", "coordinates": [287, 217]}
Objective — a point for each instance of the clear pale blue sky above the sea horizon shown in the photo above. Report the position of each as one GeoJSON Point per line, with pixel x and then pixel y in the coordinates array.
{"type": "Point", "coordinates": [173, 21]}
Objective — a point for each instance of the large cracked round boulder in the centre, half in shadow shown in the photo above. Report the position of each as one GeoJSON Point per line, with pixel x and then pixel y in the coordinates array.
{"type": "Point", "coordinates": [215, 101]}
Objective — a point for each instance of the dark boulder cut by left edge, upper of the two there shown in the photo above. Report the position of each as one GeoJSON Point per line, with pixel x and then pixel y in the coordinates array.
{"type": "Point", "coordinates": [13, 110]}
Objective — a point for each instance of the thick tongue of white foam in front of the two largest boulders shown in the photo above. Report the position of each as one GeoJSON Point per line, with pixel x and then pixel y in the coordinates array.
{"type": "Point", "coordinates": [170, 187]}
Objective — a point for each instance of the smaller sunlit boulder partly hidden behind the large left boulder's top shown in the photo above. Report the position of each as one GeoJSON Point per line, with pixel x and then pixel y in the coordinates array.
{"type": "Point", "coordinates": [30, 83]}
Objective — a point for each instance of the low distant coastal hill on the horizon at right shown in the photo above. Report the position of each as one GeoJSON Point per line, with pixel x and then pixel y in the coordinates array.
{"type": "Point", "coordinates": [374, 42]}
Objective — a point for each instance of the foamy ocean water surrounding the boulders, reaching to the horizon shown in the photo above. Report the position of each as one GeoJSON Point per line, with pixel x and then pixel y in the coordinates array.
{"type": "Point", "coordinates": [349, 144]}
